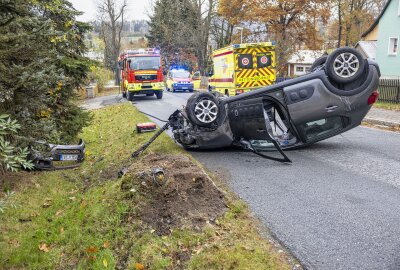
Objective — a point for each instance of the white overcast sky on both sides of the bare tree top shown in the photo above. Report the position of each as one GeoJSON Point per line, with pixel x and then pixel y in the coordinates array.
{"type": "Point", "coordinates": [137, 9]}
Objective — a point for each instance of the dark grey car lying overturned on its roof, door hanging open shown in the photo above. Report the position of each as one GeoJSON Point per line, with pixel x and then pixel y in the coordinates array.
{"type": "Point", "coordinates": [333, 98]}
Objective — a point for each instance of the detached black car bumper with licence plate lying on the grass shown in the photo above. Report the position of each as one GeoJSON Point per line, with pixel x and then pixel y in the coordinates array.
{"type": "Point", "coordinates": [56, 156]}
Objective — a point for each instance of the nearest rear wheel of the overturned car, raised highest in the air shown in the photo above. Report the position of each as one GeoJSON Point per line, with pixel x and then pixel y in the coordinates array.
{"type": "Point", "coordinates": [345, 65]}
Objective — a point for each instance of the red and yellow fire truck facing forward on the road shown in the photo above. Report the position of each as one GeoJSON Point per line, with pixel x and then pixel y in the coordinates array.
{"type": "Point", "coordinates": [141, 73]}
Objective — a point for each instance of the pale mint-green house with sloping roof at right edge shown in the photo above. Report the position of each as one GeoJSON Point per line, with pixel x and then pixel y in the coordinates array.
{"type": "Point", "coordinates": [385, 34]}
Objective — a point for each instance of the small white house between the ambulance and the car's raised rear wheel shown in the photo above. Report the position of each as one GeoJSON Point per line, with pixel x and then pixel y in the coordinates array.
{"type": "Point", "coordinates": [301, 61]}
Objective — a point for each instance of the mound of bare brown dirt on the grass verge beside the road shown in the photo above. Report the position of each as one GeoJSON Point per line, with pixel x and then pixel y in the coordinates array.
{"type": "Point", "coordinates": [187, 199]}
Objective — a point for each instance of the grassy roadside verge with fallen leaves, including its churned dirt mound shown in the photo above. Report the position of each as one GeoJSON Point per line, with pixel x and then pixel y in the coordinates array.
{"type": "Point", "coordinates": [87, 218]}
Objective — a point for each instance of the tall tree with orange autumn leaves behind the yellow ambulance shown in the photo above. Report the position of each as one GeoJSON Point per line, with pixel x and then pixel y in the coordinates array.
{"type": "Point", "coordinates": [291, 23]}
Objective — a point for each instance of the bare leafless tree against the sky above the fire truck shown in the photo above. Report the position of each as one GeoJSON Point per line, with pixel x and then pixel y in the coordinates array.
{"type": "Point", "coordinates": [112, 23]}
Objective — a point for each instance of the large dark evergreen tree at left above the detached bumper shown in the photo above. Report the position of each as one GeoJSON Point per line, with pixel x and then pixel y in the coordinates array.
{"type": "Point", "coordinates": [41, 66]}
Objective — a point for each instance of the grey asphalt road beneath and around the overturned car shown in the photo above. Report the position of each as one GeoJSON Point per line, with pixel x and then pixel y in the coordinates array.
{"type": "Point", "coordinates": [336, 207]}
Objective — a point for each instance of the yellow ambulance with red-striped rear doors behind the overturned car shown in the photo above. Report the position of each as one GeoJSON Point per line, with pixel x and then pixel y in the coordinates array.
{"type": "Point", "coordinates": [239, 68]}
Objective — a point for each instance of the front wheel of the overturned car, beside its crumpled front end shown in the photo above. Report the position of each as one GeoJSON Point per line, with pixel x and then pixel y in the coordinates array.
{"type": "Point", "coordinates": [203, 109]}
